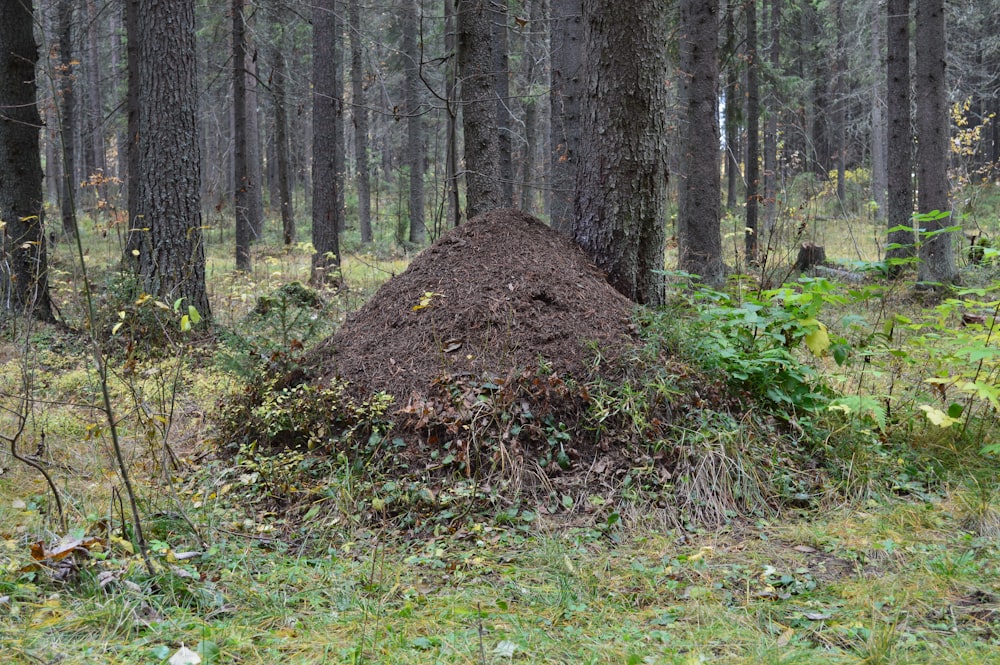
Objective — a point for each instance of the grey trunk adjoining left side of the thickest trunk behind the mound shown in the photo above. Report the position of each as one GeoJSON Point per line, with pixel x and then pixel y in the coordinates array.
{"type": "Point", "coordinates": [566, 38]}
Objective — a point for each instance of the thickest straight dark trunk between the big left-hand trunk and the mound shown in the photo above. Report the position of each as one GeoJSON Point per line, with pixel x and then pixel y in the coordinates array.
{"type": "Point", "coordinates": [327, 105]}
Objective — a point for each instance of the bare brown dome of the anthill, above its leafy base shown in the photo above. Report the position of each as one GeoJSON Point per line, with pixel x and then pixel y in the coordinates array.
{"type": "Point", "coordinates": [499, 296]}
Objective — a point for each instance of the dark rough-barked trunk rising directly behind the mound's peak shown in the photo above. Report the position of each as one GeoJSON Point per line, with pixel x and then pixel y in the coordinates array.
{"type": "Point", "coordinates": [479, 118]}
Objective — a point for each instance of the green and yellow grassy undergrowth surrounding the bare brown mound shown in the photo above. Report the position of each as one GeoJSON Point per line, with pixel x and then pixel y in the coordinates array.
{"type": "Point", "coordinates": [794, 470]}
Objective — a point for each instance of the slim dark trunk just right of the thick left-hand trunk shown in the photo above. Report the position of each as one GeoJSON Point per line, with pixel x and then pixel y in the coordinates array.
{"type": "Point", "coordinates": [242, 182]}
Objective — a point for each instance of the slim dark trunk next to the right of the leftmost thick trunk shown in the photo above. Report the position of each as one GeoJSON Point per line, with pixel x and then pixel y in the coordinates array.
{"type": "Point", "coordinates": [67, 129]}
